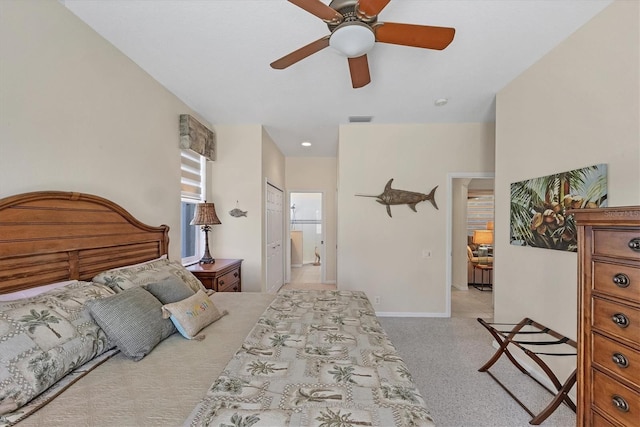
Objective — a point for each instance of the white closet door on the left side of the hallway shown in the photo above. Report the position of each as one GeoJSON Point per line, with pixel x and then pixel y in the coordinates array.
{"type": "Point", "coordinates": [275, 252]}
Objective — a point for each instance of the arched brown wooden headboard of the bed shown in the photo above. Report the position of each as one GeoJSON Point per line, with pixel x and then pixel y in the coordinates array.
{"type": "Point", "coordinates": [53, 236]}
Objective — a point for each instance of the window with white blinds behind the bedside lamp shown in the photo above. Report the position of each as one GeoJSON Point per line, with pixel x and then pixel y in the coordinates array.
{"type": "Point", "coordinates": [192, 191]}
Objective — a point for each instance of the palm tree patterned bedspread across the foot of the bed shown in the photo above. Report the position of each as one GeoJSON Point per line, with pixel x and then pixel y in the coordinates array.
{"type": "Point", "coordinates": [314, 358]}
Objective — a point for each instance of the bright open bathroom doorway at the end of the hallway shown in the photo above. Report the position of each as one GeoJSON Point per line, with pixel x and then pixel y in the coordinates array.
{"type": "Point", "coordinates": [306, 234]}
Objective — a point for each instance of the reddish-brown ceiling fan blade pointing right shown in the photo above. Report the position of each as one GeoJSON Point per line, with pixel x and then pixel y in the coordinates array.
{"type": "Point", "coordinates": [414, 35]}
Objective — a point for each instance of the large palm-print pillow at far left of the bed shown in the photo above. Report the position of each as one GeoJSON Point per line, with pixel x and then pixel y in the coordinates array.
{"type": "Point", "coordinates": [43, 338]}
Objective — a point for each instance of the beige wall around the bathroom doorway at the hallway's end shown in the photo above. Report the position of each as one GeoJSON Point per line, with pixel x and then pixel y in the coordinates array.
{"type": "Point", "coordinates": [318, 174]}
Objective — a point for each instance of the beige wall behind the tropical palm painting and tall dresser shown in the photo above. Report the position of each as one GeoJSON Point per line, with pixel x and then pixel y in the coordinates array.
{"type": "Point", "coordinates": [576, 107]}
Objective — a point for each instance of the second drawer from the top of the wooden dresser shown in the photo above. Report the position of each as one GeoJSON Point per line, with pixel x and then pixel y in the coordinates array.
{"type": "Point", "coordinates": [621, 281]}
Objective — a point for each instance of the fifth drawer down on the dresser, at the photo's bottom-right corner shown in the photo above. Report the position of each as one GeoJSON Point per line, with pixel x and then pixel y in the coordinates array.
{"type": "Point", "coordinates": [609, 396]}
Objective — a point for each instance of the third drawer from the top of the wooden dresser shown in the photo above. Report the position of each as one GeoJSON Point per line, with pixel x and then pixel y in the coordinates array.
{"type": "Point", "coordinates": [610, 317]}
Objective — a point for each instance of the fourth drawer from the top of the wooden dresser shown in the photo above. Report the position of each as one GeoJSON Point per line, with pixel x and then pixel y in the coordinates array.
{"type": "Point", "coordinates": [615, 357]}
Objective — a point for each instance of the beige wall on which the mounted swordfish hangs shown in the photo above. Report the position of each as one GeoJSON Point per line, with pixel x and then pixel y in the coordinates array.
{"type": "Point", "coordinates": [382, 255]}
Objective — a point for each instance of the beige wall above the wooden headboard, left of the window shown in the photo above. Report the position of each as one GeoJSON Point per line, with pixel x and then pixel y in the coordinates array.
{"type": "Point", "coordinates": [77, 115]}
